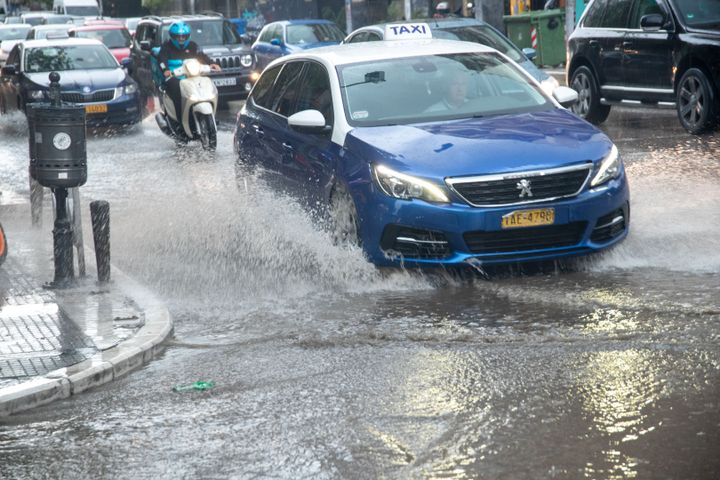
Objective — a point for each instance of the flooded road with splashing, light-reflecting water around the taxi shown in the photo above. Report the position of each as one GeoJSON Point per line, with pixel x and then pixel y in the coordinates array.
{"type": "Point", "coordinates": [329, 368]}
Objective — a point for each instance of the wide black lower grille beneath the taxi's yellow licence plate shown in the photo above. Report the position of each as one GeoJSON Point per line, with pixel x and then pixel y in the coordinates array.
{"type": "Point", "coordinates": [522, 239]}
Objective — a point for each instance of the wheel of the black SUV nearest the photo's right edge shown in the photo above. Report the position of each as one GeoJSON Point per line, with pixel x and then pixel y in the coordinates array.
{"type": "Point", "coordinates": [695, 102]}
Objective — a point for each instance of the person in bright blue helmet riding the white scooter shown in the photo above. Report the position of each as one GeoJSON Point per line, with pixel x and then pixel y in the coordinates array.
{"type": "Point", "coordinates": [172, 53]}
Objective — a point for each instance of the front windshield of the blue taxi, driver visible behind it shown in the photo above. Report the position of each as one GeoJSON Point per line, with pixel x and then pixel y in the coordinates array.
{"type": "Point", "coordinates": [435, 87]}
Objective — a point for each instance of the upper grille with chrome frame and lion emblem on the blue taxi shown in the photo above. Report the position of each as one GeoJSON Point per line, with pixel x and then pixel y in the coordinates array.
{"type": "Point", "coordinates": [506, 189]}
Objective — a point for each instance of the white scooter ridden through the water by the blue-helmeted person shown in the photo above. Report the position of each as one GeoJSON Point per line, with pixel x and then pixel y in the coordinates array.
{"type": "Point", "coordinates": [199, 99]}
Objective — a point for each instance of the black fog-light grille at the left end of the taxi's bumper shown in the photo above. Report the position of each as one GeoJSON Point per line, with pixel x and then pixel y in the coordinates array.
{"type": "Point", "coordinates": [414, 242]}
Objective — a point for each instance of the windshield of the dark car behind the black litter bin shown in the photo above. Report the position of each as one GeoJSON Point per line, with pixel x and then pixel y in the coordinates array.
{"type": "Point", "coordinates": [76, 57]}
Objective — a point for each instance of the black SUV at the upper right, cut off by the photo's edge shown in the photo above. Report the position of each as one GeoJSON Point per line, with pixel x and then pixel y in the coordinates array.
{"type": "Point", "coordinates": [650, 53]}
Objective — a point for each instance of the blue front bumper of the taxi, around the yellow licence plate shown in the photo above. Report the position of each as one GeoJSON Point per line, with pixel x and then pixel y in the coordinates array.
{"type": "Point", "coordinates": [417, 234]}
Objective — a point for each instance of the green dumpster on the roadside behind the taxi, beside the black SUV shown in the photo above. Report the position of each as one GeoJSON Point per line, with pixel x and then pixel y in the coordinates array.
{"type": "Point", "coordinates": [549, 26]}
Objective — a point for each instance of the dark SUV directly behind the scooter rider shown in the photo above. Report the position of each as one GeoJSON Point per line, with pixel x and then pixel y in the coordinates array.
{"type": "Point", "coordinates": [215, 36]}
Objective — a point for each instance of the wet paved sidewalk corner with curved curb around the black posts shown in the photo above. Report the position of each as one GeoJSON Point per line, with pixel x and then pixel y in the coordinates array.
{"type": "Point", "coordinates": [57, 343]}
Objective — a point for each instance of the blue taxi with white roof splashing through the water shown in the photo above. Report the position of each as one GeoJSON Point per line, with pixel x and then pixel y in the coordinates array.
{"type": "Point", "coordinates": [431, 152]}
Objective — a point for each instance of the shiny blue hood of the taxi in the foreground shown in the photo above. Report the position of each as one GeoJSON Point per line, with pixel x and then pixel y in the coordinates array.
{"type": "Point", "coordinates": [506, 143]}
